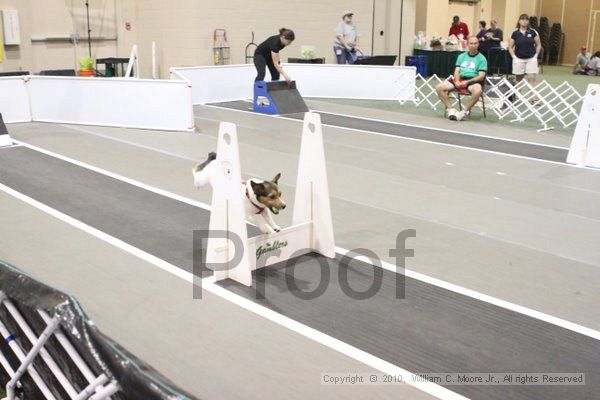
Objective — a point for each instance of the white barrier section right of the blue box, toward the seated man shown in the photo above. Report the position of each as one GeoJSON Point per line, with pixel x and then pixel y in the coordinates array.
{"type": "Point", "coordinates": [369, 82]}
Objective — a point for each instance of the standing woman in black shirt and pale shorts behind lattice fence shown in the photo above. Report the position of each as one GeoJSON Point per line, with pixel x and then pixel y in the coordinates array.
{"type": "Point", "coordinates": [524, 47]}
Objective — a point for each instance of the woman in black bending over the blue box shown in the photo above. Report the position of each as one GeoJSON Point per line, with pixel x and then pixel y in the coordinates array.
{"type": "Point", "coordinates": [267, 55]}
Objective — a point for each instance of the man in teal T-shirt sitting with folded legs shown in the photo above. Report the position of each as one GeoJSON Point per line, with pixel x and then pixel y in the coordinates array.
{"type": "Point", "coordinates": [469, 78]}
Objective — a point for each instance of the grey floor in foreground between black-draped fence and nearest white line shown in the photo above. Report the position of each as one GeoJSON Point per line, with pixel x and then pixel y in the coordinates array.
{"type": "Point", "coordinates": [153, 314]}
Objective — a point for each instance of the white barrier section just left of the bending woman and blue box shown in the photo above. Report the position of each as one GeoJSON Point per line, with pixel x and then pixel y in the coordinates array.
{"type": "Point", "coordinates": [214, 84]}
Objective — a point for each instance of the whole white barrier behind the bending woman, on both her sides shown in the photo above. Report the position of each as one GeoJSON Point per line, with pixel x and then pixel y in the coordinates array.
{"type": "Point", "coordinates": [213, 84]}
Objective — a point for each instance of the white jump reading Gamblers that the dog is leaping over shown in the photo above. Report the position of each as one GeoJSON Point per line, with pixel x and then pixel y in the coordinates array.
{"type": "Point", "coordinates": [311, 230]}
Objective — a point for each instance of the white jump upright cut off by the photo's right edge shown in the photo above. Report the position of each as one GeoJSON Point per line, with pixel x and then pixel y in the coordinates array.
{"type": "Point", "coordinates": [585, 146]}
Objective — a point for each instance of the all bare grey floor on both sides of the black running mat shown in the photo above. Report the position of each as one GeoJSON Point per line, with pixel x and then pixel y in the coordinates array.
{"type": "Point", "coordinates": [521, 230]}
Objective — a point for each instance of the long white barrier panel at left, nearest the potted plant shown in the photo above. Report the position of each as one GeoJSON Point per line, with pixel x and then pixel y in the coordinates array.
{"type": "Point", "coordinates": [122, 102]}
